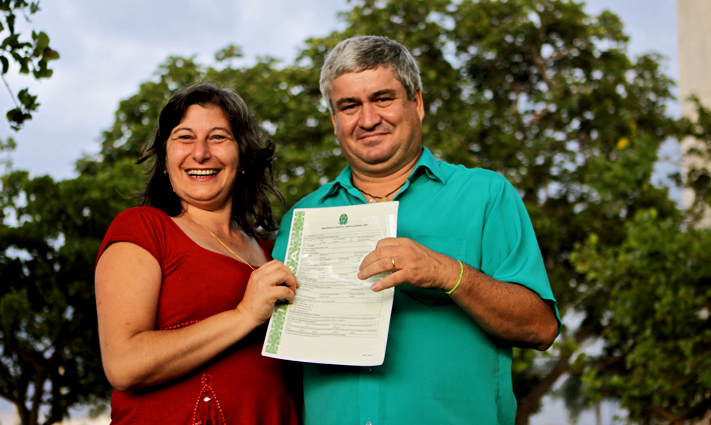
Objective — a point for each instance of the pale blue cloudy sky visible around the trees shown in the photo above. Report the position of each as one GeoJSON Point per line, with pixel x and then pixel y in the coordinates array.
{"type": "Point", "coordinates": [109, 48]}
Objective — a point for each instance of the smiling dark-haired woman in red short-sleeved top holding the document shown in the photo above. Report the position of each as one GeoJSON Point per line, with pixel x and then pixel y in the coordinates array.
{"type": "Point", "coordinates": [186, 283]}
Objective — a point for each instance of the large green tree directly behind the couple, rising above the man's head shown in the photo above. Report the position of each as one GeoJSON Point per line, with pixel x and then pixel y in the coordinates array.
{"type": "Point", "coordinates": [536, 90]}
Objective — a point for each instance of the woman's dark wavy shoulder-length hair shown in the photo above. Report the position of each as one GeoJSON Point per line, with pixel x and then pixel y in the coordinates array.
{"type": "Point", "coordinates": [251, 207]}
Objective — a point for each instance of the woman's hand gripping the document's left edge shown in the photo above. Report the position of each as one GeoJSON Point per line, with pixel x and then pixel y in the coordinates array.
{"type": "Point", "coordinates": [270, 283]}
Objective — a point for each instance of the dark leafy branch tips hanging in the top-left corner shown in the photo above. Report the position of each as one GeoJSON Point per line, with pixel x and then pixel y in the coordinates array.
{"type": "Point", "coordinates": [30, 55]}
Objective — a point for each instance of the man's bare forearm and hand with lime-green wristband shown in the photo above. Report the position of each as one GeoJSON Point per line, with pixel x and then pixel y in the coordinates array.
{"type": "Point", "coordinates": [507, 311]}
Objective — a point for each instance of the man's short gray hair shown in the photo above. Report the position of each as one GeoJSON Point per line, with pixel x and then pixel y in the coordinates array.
{"type": "Point", "coordinates": [369, 52]}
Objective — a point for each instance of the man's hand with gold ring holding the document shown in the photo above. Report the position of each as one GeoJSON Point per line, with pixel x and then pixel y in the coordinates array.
{"type": "Point", "coordinates": [411, 263]}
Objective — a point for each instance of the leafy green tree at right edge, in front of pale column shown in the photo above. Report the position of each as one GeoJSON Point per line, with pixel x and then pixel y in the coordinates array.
{"type": "Point", "coordinates": [656, 356]}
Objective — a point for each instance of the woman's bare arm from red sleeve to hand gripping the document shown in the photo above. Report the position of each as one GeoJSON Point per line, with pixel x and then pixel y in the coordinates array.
{"type": "Point", "coordinates": [128, 282]}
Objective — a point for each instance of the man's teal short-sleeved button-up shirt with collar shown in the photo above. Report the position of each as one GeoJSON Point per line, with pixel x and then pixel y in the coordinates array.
{"type": "Point", "coordinates": [440, 367]}
